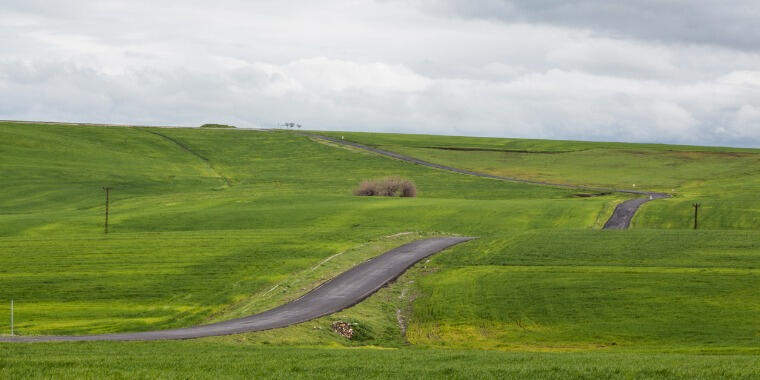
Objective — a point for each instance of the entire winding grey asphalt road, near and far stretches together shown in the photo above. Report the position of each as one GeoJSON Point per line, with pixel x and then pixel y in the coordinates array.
{"type": "Point", "coordinates": [353, 285]}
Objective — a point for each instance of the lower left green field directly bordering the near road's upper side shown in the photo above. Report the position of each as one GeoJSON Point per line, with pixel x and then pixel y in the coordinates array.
{"type": "Point", "coordinates": [139, 281]}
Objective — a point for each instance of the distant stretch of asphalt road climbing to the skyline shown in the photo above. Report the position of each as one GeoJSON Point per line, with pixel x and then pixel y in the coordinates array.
{"type": "Point", "coordinates": [620, 219]}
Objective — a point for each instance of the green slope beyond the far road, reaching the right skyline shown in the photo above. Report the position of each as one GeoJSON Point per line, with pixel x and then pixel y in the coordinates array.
{"type": "Point", "coordinates": [724, 180]}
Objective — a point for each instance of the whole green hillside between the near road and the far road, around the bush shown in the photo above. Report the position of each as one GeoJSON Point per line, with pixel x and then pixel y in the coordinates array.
{"type": "Point", "coordinates": [202, 219]}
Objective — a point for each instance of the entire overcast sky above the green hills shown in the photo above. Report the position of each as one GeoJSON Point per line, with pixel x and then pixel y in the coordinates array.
{"type": "Point", "coordinates": [678, 71]}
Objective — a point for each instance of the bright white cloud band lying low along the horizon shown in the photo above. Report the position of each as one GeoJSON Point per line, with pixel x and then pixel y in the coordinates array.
{"type": "Point", "coordinates": [347, 95]}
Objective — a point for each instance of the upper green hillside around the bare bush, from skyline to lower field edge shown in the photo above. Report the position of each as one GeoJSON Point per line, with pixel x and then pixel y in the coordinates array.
{"type": "Point", "coordinates": [172, 179]}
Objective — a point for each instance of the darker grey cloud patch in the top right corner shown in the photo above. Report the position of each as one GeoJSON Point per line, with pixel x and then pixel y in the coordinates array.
{"type": "Point", "coordinates": [728, 23]}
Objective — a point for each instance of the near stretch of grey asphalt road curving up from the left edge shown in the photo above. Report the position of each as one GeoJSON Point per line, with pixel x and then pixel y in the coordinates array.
{"type": "Point", "coordinates": [344, 290]}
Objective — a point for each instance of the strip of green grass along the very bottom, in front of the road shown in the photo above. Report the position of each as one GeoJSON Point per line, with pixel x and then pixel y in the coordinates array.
{"type": "Point", "coordinates": [207, 359]}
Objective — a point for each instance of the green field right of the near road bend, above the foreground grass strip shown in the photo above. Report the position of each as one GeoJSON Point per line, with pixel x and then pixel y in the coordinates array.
{"type": "Point", "coordinates": [566, 290]}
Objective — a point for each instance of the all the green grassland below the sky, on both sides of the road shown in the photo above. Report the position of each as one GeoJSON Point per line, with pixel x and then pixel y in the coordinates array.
{"type": "Point", "coordinates": [211, 224]}
